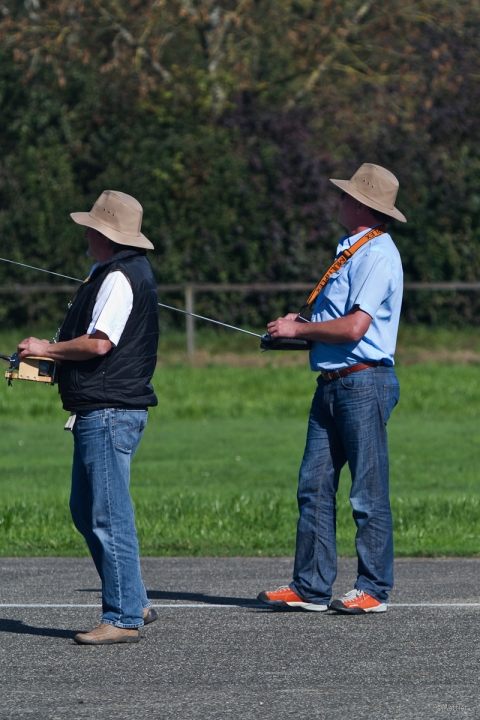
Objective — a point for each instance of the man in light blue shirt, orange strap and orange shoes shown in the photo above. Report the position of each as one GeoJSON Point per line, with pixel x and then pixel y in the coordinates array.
{"type": "Point", "coordinates": [353, 330]}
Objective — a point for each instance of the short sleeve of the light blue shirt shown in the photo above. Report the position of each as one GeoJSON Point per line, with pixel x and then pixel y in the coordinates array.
{"type": "Point", "coordinates": [372, 282]}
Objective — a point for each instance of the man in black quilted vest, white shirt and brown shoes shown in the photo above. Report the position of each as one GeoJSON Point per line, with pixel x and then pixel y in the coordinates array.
{"type": "Point", "coordinates": [108, 349]}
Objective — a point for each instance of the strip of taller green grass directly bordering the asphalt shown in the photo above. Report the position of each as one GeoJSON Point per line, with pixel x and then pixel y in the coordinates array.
{"type": "Point", "coordinates": [240, 525]}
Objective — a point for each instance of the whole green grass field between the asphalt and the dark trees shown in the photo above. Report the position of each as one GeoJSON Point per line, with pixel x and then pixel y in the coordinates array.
{"type": "Point", "coordinates": [217, 469]}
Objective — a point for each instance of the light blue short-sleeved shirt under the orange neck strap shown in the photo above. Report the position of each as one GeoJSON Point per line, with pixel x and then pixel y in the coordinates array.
{"type": "Point", "coordinates": [373, 280]}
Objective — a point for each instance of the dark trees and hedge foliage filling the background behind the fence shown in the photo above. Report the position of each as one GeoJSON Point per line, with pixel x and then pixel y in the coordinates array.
{"type": "Point", "coordinates": [226, 120]}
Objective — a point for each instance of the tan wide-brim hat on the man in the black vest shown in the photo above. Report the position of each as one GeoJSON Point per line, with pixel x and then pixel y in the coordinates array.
{"type": "Point", "coordinates": [118, 216]}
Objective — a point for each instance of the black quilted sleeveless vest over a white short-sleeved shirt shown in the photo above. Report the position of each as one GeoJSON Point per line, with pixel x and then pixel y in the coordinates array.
{"type": "Point", "coordinates": [121, 378]}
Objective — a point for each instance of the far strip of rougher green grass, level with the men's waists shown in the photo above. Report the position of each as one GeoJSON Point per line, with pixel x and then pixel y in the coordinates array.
{"type": "Point", "coordinates": [222, 391]}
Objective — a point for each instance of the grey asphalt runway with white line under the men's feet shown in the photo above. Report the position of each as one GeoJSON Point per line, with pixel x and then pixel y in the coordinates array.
{"type": "Point", "coordinates": [215, 653]}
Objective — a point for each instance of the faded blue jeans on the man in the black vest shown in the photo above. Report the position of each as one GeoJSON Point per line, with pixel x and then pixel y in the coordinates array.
{"type": "Point", "coordinates": [105, 443]}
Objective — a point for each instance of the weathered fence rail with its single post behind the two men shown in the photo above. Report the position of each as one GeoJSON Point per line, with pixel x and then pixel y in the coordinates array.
{"type": "Point", "coordinates": [189, 290]}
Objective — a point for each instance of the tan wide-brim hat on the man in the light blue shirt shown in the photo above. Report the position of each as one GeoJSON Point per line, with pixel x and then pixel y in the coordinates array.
{"type": "Point", "coordinates": [375, 187]}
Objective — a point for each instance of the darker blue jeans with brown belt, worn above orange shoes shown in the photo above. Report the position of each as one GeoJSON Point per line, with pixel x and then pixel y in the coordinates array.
{"type": "Point", "coordinates": [347, 424]}
